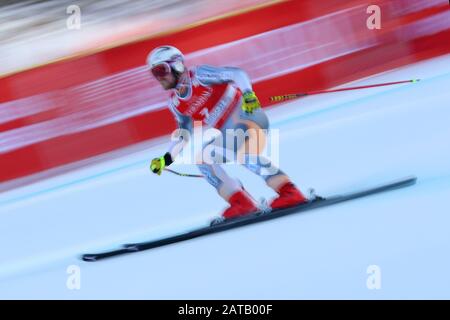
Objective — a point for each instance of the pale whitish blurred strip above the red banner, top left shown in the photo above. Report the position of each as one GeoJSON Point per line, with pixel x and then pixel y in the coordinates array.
{"type": "Point", "coordinates": [35, 32]}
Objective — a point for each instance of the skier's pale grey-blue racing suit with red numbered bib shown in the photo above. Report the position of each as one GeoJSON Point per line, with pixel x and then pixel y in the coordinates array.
{"type": "Point", "coordinates": [213, 95]}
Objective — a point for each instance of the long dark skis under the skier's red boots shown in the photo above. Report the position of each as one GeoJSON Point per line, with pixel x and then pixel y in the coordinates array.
{"type": "Point", "coordinates": [250, 219]}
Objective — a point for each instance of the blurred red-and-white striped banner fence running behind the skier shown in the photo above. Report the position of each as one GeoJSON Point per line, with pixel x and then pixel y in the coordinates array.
{"type": "Point", "coordinates": [70, 110]}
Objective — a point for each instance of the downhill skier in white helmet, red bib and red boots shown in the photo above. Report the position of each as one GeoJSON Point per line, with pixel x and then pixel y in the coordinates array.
{"type": "Point", "coordinates": [221, 98]}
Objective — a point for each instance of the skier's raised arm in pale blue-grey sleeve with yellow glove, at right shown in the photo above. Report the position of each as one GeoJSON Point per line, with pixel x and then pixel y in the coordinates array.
{"type": "Point", "coordinates": [208, 75]}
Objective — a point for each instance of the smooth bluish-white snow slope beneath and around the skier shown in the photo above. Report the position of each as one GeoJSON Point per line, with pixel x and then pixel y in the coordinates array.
{"type": "Point", "coordinates": [333, 142]}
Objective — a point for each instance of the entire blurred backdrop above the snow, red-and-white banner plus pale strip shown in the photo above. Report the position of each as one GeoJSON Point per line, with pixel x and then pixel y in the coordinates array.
{"type": "Point", "coordinates": [69, 95]}
